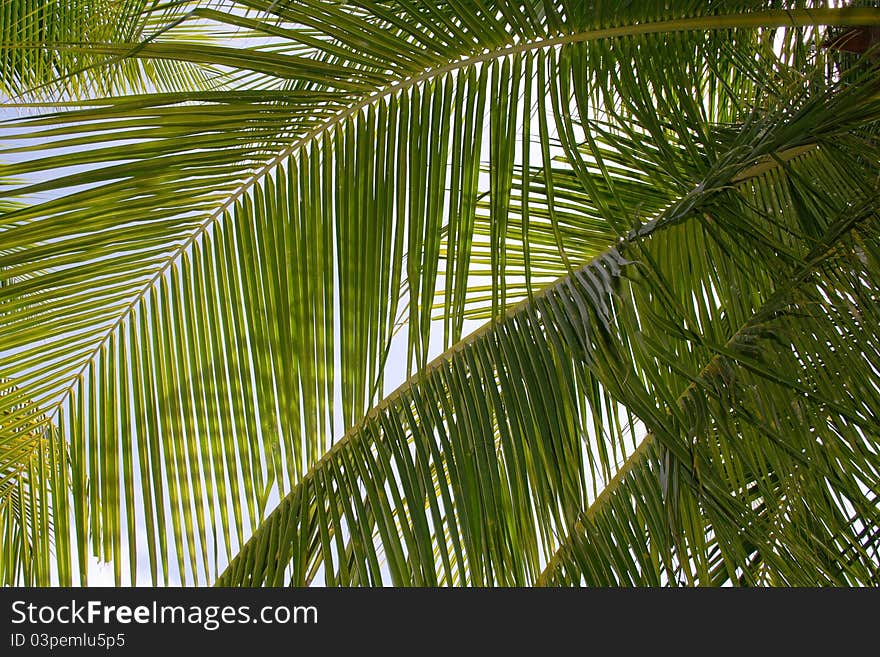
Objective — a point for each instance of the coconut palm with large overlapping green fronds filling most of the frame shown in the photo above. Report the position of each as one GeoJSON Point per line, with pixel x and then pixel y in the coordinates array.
{"type": "Point", "coordinates": [661, 215]}
